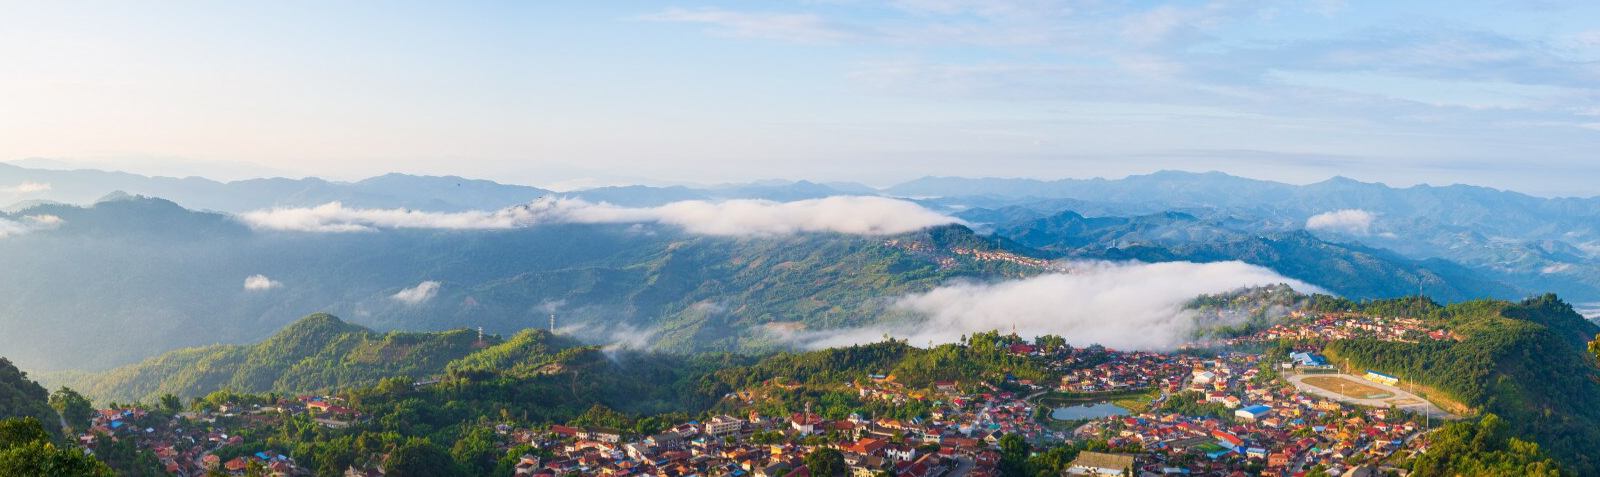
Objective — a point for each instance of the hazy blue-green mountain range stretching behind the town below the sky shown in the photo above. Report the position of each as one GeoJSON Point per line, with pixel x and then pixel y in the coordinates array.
{"type": "Point", "coordinates": [116, 278]}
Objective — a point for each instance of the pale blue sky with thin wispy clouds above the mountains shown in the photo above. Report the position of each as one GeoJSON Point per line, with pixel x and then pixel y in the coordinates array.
{"type": "Point", "coordinates": [585, 94]}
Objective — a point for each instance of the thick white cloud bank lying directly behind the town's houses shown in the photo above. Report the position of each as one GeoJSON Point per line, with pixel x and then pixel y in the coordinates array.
{"type": "Point", "coordinates": [1119, 305]}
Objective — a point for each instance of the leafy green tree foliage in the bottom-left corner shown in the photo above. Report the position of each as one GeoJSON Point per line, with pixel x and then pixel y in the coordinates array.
{"type": "Point", "coordinates": [26, 451]}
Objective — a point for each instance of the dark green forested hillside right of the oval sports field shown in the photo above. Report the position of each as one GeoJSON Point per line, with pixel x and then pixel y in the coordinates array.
{"type": "Point", "coordinates": [1526, 363]}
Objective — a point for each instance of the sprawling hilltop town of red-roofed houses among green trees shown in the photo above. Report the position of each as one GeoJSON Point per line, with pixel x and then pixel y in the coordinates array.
{"type": "Point", "coordinates": [1191, 412]}
